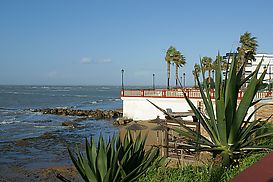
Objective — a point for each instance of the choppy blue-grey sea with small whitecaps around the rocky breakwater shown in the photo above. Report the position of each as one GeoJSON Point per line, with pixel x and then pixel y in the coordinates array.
{"type": "Point", "coordinates": [30, 139]}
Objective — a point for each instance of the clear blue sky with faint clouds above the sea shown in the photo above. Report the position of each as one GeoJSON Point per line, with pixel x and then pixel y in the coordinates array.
{"type": "Point", "coordinates": [85, 42]}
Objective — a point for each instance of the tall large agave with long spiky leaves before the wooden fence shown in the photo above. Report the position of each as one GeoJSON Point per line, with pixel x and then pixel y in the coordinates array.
{"type": "Point", "coordinates": [228, 123]}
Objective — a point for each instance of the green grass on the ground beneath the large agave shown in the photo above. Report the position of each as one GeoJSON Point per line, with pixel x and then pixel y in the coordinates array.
{"type": "Point", "coordinates": [205, 173]}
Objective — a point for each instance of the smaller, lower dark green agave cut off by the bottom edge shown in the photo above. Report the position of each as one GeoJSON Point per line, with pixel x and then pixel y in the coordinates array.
{"type": "Point", "coordinates": [115, 160]}
